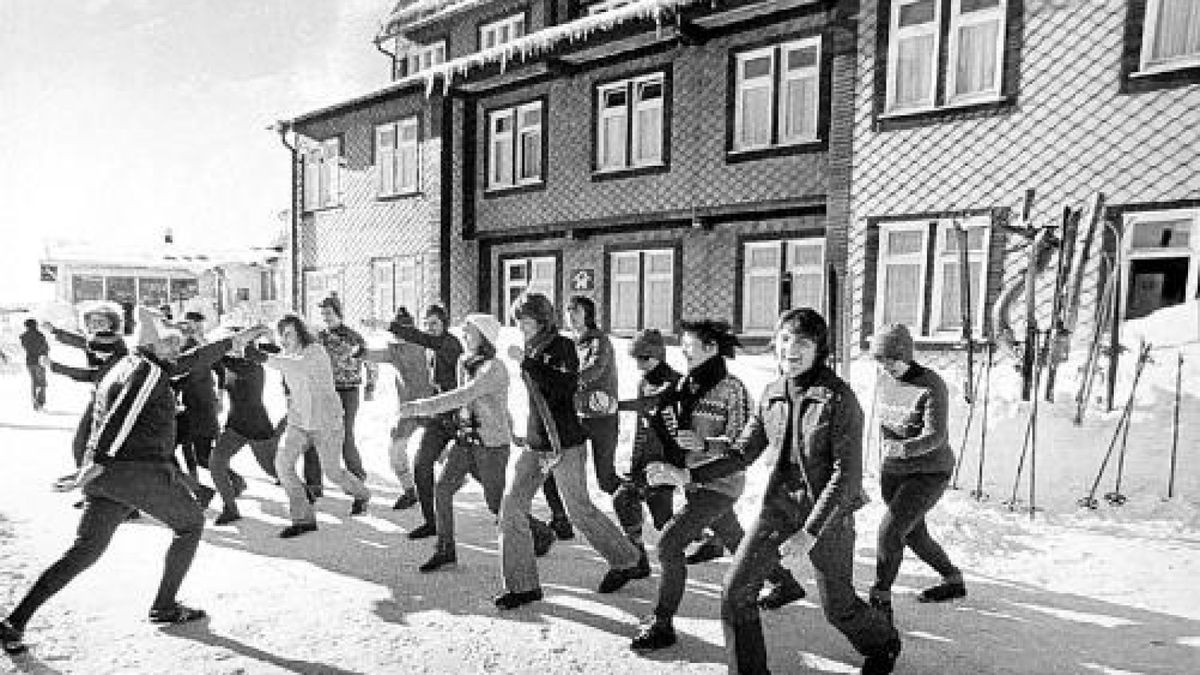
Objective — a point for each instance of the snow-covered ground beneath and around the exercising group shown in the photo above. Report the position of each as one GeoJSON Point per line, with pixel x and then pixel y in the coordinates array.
{"type": "Point", "coordinates": [1072, 590]}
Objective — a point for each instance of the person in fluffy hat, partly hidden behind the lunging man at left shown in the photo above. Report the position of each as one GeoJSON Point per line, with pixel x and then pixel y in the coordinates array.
{"type": "Point", "coordinates": [103, 348]}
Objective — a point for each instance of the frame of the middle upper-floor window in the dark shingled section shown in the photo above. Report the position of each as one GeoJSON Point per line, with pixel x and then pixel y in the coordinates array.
{"type": "Point", "coordinates": [629, 112]}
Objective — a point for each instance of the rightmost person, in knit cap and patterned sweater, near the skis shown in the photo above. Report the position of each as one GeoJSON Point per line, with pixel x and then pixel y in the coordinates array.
{"type": "Point", "coordinates": [914, 411]}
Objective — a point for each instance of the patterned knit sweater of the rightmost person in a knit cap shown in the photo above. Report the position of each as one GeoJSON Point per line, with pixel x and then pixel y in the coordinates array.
{"type": "Point", "coordinates": [914, 411]}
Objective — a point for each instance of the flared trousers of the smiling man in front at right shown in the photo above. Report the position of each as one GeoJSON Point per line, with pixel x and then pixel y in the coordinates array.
{"type": "Point", "coordinates": [833, 564]}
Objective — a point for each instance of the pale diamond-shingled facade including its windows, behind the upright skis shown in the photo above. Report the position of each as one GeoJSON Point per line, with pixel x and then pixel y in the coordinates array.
{"type": "Point", "coordinates": [964, 105]}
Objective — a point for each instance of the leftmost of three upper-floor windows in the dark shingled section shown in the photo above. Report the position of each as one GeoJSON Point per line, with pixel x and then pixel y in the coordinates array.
{"type": "Point", "coordinates": [515, 146]}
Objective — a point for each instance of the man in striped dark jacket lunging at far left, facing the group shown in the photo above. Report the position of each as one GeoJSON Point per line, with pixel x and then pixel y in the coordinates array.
{"type": "Point", "coordinates": [128, 465]}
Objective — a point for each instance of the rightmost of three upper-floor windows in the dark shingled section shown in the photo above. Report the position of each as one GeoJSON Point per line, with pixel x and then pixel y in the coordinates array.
{"type": "Point", "coordinates": [772, 111]}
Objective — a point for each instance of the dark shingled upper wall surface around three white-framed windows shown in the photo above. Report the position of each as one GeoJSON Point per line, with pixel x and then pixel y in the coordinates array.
{"type": "Point", "coordinates": [699, 177]}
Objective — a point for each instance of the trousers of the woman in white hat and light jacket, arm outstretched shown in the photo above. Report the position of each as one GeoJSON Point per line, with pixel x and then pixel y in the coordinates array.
{"type": "Point", "coordinates": [487, 465]}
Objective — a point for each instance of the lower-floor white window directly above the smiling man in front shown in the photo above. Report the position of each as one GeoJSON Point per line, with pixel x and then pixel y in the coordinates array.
{"type": "Point", "coordinates": [779, 276]}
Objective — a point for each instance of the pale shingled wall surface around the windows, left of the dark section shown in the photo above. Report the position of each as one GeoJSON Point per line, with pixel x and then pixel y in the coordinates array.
{"type": "Point", "coordinates": [346, 238]}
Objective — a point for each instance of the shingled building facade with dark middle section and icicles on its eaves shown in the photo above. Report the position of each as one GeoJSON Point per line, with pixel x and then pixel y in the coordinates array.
{"type": "Point", "coordinates": [689, 162]}
